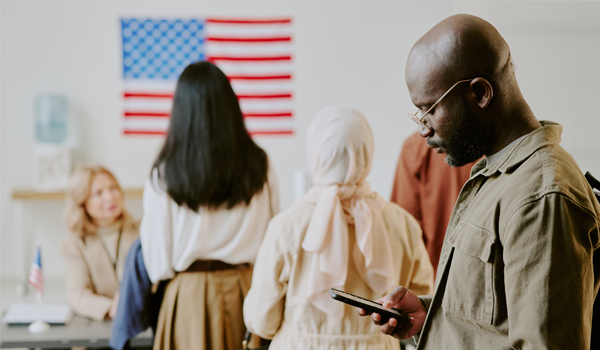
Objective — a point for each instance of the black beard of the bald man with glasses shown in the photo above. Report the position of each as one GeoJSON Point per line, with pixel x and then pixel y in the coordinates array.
{"type": "Point", "coordinates": [467, 143]}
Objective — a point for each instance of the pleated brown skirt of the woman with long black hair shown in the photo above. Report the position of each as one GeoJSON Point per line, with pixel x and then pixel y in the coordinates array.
{"type": "Point", "coordinates": [203, 311]}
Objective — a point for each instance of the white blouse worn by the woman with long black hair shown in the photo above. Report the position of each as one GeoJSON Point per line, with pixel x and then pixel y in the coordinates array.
{"type": "Point", "coordinates": [173, 237]}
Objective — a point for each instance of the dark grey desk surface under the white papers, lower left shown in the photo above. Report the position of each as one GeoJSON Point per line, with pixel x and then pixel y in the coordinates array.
{"type": "Point", "coordinates": [80, 332]}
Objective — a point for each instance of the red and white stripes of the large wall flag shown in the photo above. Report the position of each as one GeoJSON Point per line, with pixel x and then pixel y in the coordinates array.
{"type": "Point", "coordinates": [256, 56]}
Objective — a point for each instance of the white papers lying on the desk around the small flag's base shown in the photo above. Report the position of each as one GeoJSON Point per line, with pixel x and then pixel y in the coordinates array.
{"type": "Point", "coordinates": [25, 313]}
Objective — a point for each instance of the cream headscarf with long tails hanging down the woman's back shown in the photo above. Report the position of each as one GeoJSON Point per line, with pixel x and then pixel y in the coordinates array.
{"type": "Point", "coordinates": [340, 153]}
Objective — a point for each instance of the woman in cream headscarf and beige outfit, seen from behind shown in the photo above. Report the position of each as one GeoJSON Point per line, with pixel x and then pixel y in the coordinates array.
{"type": "Point", "coordinates": [339, 235]}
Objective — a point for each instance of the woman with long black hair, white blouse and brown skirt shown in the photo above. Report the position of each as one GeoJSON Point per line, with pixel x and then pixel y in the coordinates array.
{"type": "Point", "coordinates": [207, 204]}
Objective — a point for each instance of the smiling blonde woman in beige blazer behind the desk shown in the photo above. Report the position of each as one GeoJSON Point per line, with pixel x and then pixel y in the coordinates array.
{"type": "Point", "coordinates": [101, 233]}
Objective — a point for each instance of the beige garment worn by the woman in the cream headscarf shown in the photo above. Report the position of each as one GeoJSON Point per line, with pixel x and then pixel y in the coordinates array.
{"type": "Point", "coordinates": [277, 308]}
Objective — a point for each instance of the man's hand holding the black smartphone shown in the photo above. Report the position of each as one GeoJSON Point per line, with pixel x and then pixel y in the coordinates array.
{"type": "Point", "coordinates": [404, 300]}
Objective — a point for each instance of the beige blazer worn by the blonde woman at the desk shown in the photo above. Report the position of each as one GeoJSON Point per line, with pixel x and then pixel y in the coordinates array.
{"type": "Point", "coordinates": [91, 280]}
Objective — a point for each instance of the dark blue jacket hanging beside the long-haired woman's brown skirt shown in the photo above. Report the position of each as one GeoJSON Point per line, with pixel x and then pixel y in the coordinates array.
{"type": "Point", "coordinates": [138, 306]}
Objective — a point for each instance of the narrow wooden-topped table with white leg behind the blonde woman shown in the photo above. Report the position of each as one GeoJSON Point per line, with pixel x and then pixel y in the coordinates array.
{"type": "Point", "coordinates": [22, 233]}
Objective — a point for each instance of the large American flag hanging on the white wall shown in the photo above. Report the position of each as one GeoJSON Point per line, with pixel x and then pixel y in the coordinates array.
{"type": "Point", "coordinates": [256, 56]}
